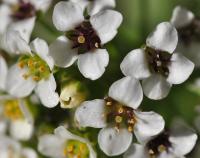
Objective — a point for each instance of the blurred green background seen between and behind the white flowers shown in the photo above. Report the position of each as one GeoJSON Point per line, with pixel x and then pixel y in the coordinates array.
{"type": "Point", "coordinates": [140, 18]}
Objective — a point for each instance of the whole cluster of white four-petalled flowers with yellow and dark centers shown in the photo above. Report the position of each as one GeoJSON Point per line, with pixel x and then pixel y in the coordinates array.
{"type": "Point", "coordinates": [36, 72]}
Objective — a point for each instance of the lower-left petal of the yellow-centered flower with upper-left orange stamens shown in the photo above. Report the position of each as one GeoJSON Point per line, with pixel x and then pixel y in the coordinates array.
{"type": "Point", "coordinates": [16, 85]}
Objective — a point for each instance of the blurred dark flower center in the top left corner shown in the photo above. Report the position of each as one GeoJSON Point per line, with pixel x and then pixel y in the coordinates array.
{"type": "Point", "coordinates": [23, 10]}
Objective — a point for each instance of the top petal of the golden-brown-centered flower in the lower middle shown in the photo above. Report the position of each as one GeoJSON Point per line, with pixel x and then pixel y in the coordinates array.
{"type": "Point", "coordinates": [127, 91]}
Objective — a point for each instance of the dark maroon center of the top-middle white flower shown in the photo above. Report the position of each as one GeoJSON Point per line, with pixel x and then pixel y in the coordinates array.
{"type": "Point", "coordinates": [84, 38]}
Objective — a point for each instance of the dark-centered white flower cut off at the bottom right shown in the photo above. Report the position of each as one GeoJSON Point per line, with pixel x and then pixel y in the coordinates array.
{"type": "Point", "coordinates": [170, 144]}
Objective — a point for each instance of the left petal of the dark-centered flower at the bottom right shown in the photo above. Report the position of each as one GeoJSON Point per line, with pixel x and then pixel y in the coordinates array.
{"type": "Point", "coordinates": [136, 151]}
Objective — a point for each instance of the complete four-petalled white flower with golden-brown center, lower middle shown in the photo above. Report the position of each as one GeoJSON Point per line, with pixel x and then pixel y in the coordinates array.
{"type": "Point", "coordinates": [118, 117]}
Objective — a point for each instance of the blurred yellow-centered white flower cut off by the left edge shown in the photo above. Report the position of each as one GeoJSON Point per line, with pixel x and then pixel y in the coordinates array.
{"type": "Point", "coordinates": [16, 116]}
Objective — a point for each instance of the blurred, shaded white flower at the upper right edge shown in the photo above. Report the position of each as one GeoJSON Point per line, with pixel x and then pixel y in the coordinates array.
{"type": "Point", "coordinates": [188, 28]}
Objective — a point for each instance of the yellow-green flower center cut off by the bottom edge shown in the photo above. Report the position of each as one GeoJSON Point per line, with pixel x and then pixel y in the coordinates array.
{"type": "Point", "coordinates": [76, 149]}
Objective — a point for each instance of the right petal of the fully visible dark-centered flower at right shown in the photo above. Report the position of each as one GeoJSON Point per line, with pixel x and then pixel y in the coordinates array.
{"type": "Point", "coordinates": [177, 64]}
